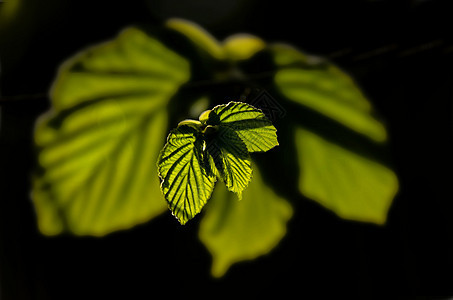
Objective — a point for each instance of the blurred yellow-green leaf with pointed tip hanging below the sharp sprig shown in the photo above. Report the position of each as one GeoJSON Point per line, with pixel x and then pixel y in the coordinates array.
{"type": "Point", "coordinates": [234, 231]}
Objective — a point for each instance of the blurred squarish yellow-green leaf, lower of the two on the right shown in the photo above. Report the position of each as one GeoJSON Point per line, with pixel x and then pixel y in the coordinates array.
{"type": "Point", "coordinates": [354, 187]}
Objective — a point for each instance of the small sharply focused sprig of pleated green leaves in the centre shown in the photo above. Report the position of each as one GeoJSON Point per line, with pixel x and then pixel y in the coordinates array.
{"type": "Point", "coordinates": [197, 151]}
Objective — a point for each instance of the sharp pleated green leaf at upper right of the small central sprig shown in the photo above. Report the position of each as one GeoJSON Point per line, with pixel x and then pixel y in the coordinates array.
{"type": "Point", "coordinates": [250, 124]}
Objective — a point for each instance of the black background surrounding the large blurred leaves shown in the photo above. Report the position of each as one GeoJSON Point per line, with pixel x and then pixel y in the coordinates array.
{"type": "Point", "coordinates": [400, 53]}
